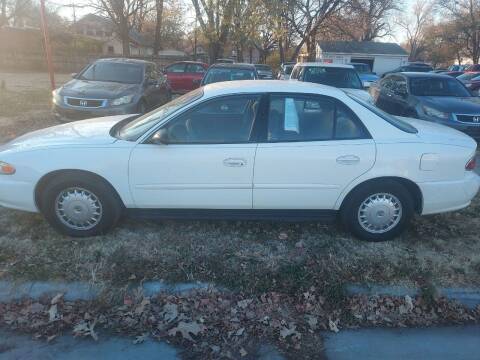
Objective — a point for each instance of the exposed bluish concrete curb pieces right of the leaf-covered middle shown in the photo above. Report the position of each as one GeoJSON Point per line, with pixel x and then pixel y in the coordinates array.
{"type": "Point", "coordinates": [467, 297]}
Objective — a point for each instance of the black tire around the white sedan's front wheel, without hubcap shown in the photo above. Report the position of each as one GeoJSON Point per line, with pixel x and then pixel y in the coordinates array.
{"type": "Point", "coordinates": [111, 205]}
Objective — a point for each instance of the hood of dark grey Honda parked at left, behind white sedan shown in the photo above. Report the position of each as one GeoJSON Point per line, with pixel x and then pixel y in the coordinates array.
{"type": "Point", "coordinates": [97, 89]}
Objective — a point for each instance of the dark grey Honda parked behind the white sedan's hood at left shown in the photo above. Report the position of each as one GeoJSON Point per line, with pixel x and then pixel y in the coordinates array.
{"type": "Point", "coordinates": [111, 87]}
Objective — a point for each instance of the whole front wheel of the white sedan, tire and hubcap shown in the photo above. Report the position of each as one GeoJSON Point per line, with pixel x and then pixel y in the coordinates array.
{"type": "Point", "coordinates": [80, 207]}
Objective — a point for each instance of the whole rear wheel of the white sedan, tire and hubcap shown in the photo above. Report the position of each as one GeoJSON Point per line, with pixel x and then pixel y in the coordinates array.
{"type": "Point", "coordinates": [378, 211]}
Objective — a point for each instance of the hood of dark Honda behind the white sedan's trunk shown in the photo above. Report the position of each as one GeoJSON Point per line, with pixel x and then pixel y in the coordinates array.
{"type": "Point", "coordinates": [450, 104]}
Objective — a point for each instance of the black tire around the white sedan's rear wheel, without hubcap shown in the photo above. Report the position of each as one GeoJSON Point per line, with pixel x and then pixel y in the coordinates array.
{"type": "Point", "coordinates": [349, 213]}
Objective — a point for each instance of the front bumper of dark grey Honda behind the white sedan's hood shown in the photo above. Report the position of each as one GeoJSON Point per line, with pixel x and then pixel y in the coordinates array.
{"type": "Point", "coordinates": [65, 113]}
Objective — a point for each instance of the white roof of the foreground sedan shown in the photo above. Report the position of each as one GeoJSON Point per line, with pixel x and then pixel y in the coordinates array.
{"type": "Point", "coordinates": [271, 86]}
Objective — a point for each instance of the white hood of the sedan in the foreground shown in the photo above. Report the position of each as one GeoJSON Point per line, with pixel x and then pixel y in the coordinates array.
{"type": "Point", "coordinates": [86, 132]}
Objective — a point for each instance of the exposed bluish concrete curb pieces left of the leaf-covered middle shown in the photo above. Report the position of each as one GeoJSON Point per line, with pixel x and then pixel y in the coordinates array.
{"type": "Point", "coordinates": [11, 291]}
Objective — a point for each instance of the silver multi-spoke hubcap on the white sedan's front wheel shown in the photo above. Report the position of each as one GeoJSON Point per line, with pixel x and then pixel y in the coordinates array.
{"type": "Point", "coordinates": [78, 208]}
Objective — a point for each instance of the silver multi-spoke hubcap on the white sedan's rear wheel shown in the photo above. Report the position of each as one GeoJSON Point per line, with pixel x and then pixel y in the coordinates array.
{"type": "Point", "coordinates": [380, 213]}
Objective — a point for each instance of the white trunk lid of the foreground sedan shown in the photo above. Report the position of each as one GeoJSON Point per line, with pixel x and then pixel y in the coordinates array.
{"type": "Point", "coordinates": [434, 133]}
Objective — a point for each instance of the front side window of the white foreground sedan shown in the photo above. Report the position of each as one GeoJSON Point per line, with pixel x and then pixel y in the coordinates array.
{"type": "Point", "coordinates": [225, 120]}
